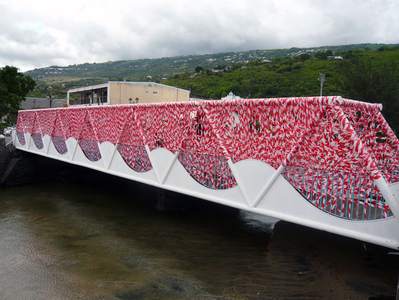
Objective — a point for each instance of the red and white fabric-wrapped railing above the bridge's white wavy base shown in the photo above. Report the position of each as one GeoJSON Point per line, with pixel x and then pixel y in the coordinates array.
{"type": "Point", "coordinates": [334, 151]}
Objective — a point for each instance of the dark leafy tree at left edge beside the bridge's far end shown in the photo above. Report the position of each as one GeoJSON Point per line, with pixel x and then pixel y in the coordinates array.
{"type": "Point", "coordinates": [14, 86]}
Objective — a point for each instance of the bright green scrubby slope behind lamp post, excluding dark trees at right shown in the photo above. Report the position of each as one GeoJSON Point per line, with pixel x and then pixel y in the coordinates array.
{"type": "Point", "coordinates": [280, 78]}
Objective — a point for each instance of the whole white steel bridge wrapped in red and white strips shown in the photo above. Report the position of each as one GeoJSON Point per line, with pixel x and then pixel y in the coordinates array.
{"type": "Point", "coordinates": [324, 162]}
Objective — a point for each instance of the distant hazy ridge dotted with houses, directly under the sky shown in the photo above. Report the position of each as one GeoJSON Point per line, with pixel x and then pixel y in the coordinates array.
{"type": "Point", "coordinates": [164, 68]}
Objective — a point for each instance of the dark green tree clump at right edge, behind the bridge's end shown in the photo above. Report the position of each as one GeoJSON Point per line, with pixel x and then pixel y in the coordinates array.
{"type": "Point", "coordinates": [373, 81]}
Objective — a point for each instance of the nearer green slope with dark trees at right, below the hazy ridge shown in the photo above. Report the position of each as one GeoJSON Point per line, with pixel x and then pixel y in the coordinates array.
{"type": "Point", "coordinates": [365, 75]}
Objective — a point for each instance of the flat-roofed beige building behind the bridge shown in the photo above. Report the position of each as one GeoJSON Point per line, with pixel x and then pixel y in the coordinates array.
{"type": "Point", "coordinates": [125, 92]}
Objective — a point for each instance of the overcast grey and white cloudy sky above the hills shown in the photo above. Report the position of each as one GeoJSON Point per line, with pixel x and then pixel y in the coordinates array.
{"type": "Point", "coordinates": [50, 32]}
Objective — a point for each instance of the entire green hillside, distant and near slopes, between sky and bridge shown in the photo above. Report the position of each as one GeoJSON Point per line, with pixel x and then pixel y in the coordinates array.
{"type": "Point", "coordinates": [367, 72]}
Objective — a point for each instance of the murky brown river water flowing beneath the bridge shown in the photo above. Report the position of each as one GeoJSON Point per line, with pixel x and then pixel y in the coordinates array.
{"type": "Point", "coordinates": [63, 239]}
